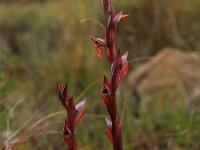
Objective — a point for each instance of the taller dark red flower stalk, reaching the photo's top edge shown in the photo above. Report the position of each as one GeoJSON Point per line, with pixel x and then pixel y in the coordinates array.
{"type": "Point", "coordinates": [119, 69]}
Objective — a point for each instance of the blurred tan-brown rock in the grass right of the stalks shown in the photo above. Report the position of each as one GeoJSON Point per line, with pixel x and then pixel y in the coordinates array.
{"type": "Point", "coordinates": [169, 69]}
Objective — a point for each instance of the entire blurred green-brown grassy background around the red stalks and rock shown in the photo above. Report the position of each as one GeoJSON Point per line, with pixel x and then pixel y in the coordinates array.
{"type": "Point", "coordinates": [46, 41]}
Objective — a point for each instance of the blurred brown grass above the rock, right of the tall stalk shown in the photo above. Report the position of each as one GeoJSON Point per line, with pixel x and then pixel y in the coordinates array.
{"type": "Point", "coordinates": [156, 24]}
